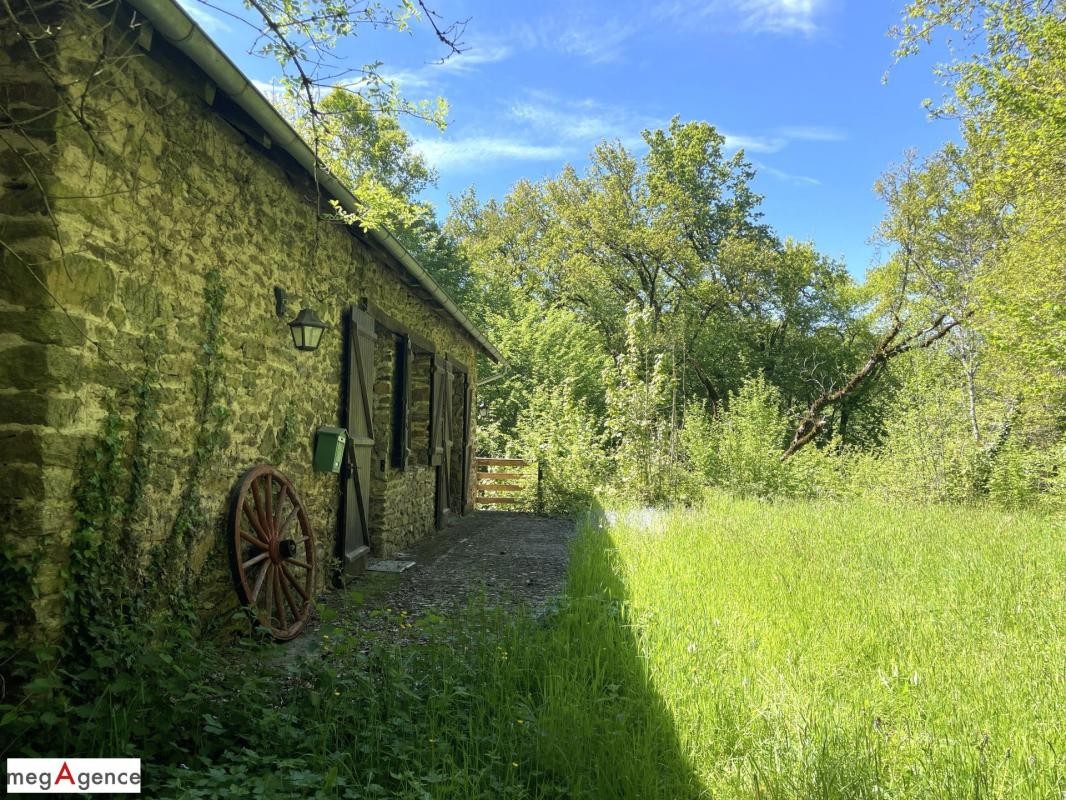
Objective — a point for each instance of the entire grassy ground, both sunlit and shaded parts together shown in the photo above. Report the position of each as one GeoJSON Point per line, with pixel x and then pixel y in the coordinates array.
{"type": "Point", "coordinates": [746, 650]}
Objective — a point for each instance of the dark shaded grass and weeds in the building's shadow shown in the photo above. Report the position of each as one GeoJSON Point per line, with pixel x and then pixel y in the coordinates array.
{"type": "Point", "coordinates": [489, 702]}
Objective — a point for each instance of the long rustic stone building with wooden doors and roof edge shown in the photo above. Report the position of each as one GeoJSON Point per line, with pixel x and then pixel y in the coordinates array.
{"type": "Point", "coordinates": [160, 230]}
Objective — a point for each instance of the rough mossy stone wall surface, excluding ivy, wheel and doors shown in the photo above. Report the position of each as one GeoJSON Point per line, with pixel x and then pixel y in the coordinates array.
{"type": "Point", "coordinates": [117, 239]}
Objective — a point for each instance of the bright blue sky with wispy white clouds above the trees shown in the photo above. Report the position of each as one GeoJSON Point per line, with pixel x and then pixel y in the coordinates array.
{"type": "Point", "coordinates": [797, 84]}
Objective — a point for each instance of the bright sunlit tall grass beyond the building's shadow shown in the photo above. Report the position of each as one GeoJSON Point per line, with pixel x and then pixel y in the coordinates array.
{"type": "Point", "coordinates": [850, 650]}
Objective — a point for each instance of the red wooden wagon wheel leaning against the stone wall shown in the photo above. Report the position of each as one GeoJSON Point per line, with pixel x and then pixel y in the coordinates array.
{"type": "Point", "coordinates": [272, 552]}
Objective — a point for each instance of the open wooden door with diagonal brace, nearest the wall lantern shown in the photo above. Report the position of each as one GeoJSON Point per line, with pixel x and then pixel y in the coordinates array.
{"type": "Point", "coordinates": [361, 438]}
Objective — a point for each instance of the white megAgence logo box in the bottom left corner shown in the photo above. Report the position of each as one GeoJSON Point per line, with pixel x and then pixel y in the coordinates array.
{"type": "Point", "coordinates": [74, 776]}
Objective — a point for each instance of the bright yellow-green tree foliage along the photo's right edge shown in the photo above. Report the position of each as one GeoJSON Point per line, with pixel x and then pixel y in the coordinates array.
{"type": "Point", "coordinates": [1007, 87]}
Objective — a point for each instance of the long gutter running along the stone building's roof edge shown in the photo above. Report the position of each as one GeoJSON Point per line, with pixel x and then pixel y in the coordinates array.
{"type": "Point", "coordinates": [172, 22]}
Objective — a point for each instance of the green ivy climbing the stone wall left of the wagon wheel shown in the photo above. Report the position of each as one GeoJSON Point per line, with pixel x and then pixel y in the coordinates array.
{"type": "Point", "coordinates": [115, 590]}
